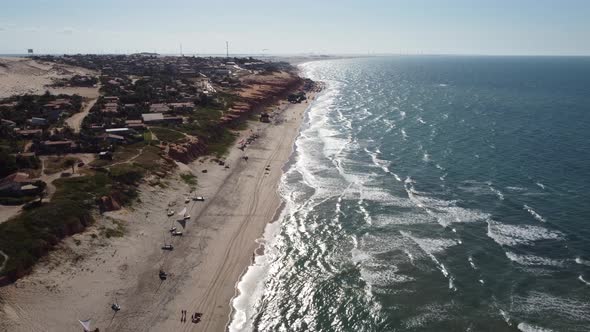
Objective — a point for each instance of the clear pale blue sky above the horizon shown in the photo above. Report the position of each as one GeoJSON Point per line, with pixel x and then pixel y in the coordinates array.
{"type": "Point", "coordinates": [560, 27]}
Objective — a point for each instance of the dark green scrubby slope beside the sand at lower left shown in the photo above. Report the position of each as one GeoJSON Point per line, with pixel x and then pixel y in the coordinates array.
{"type": "Point", "coordinates": [30, 235]}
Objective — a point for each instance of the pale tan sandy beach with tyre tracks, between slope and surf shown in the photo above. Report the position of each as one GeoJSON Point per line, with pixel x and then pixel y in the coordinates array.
{"type": "Point", "coordinates": [88, 273]}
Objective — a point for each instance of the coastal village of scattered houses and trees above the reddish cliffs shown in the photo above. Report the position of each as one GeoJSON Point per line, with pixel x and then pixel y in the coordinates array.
{"type": "Point", "coordinates": [184, 106]}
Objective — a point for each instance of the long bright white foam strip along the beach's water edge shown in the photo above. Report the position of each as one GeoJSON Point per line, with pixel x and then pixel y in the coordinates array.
{"type": "Point", "coordinates": [307, 167]}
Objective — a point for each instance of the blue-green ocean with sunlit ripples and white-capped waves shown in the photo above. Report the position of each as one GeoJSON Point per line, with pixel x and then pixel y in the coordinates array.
{"type": "Point", "coordinates": [432, 193]}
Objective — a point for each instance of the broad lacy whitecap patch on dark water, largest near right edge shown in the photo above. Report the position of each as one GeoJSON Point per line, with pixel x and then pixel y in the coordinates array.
{"type": "Point", "coordinates": [512, 235]}
